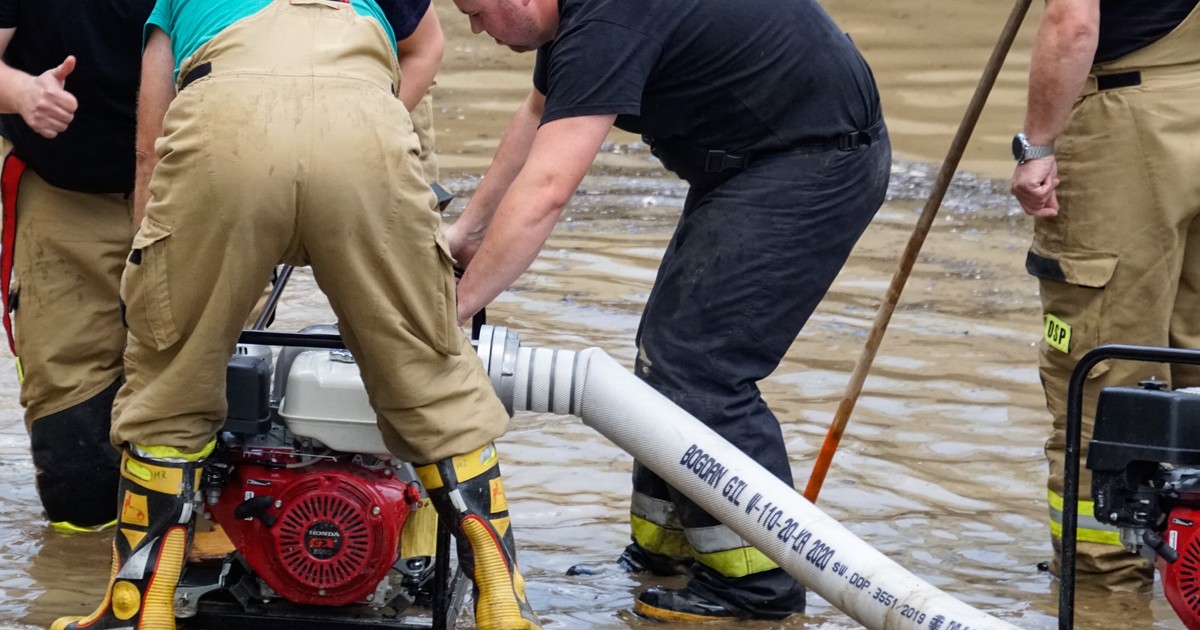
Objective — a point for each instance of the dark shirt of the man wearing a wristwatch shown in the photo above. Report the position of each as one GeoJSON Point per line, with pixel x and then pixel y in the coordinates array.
{"type": "Point", "coordinates": [1127, 26]}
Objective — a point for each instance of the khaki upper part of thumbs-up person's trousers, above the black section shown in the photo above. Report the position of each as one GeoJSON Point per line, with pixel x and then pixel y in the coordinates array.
{"type": "Point", "coordinates": [69, 256]}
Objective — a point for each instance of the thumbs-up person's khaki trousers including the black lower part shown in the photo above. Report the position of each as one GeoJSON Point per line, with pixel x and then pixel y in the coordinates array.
{"type": "Point", "coordinates": [69, 250]}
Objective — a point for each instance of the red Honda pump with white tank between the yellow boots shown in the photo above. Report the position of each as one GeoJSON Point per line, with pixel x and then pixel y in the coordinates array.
{"type": "Point", "coordinates": [315, 506]}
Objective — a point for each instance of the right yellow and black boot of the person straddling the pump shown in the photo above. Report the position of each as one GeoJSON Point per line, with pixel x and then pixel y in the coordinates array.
{"type": "Point", "coordinates": [469, 494]}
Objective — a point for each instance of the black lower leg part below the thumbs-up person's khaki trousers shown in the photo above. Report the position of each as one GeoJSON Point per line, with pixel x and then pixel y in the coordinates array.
{"type": "Point", "coordinates": [77, 467]}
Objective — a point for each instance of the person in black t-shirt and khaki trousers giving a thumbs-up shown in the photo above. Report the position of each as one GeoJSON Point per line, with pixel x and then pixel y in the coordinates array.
{"type": "Point", "coordinates": [68, 89]}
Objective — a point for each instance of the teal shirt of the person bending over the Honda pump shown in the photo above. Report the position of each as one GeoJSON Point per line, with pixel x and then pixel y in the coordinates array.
{"type": "Point", "coordinates": [193, 23]}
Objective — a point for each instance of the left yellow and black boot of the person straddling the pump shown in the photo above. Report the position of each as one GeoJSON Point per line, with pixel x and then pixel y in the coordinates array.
{"type": "Point", "coordinates": [154, 530]}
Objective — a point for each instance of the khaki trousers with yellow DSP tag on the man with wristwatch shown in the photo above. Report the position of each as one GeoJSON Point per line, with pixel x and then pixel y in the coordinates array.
{"type": "Point", "coordinates": [1121, 262]}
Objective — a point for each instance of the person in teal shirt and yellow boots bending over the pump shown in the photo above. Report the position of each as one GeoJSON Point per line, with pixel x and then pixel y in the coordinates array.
{"type": "Point", "coordinates": [286, 142]}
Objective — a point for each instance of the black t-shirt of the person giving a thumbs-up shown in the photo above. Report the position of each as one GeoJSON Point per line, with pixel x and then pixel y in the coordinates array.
{"type": "Point", "coordinates": [97, 152]}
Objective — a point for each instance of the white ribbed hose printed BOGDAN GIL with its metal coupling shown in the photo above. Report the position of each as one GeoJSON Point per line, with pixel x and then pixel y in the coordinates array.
{"type": "Point", "coordinates": [803, 541]}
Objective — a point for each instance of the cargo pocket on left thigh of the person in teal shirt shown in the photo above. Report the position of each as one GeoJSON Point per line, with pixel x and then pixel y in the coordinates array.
{"type": "Point", "coordinates": [146, 289]}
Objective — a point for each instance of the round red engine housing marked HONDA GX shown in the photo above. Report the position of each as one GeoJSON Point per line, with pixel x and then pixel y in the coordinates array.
{"type": "Point", "coordinates": [329, 537]}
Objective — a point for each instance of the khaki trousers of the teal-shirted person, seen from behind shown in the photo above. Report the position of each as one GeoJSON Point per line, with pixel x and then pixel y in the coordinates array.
{"type": "Point", "coordinates": [295, 149]}
